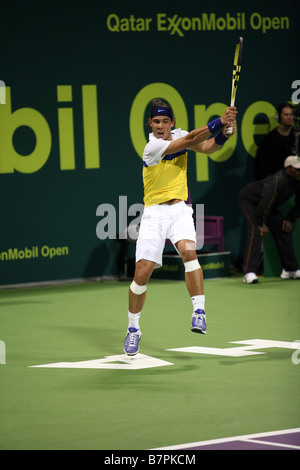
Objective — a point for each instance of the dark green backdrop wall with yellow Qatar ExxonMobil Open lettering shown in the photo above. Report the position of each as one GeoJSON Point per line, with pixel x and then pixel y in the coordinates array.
{"type": "Point", "coordinates": [79, 78]}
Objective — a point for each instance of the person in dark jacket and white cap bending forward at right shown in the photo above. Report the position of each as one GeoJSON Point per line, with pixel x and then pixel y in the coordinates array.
{"type": "Point", "coordinates": [260, 202]}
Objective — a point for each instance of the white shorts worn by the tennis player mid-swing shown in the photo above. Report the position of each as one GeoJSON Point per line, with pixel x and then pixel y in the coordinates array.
{"type": "Point", "coordinates": [160, 222]}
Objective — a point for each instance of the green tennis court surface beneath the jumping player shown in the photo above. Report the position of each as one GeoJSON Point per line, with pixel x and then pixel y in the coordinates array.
{"type": "Point", "coordinates": [179, 397]}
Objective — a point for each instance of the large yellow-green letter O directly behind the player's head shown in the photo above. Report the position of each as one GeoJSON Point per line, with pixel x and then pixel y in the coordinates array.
{"type": "Point", "coordinates": [137, 113]}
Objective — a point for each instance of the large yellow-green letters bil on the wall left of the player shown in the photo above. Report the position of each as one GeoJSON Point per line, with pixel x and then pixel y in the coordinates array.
{"type": "Point", "coordinates": [11, 160]}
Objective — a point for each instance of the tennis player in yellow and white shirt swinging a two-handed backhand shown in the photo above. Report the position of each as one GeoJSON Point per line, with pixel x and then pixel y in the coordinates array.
{"type": "Point", "coordinates": [166, 215]}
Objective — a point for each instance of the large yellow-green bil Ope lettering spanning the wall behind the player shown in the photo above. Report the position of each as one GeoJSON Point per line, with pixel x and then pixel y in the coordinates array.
{"type": "Point", "coordinates": [11, 160]}
